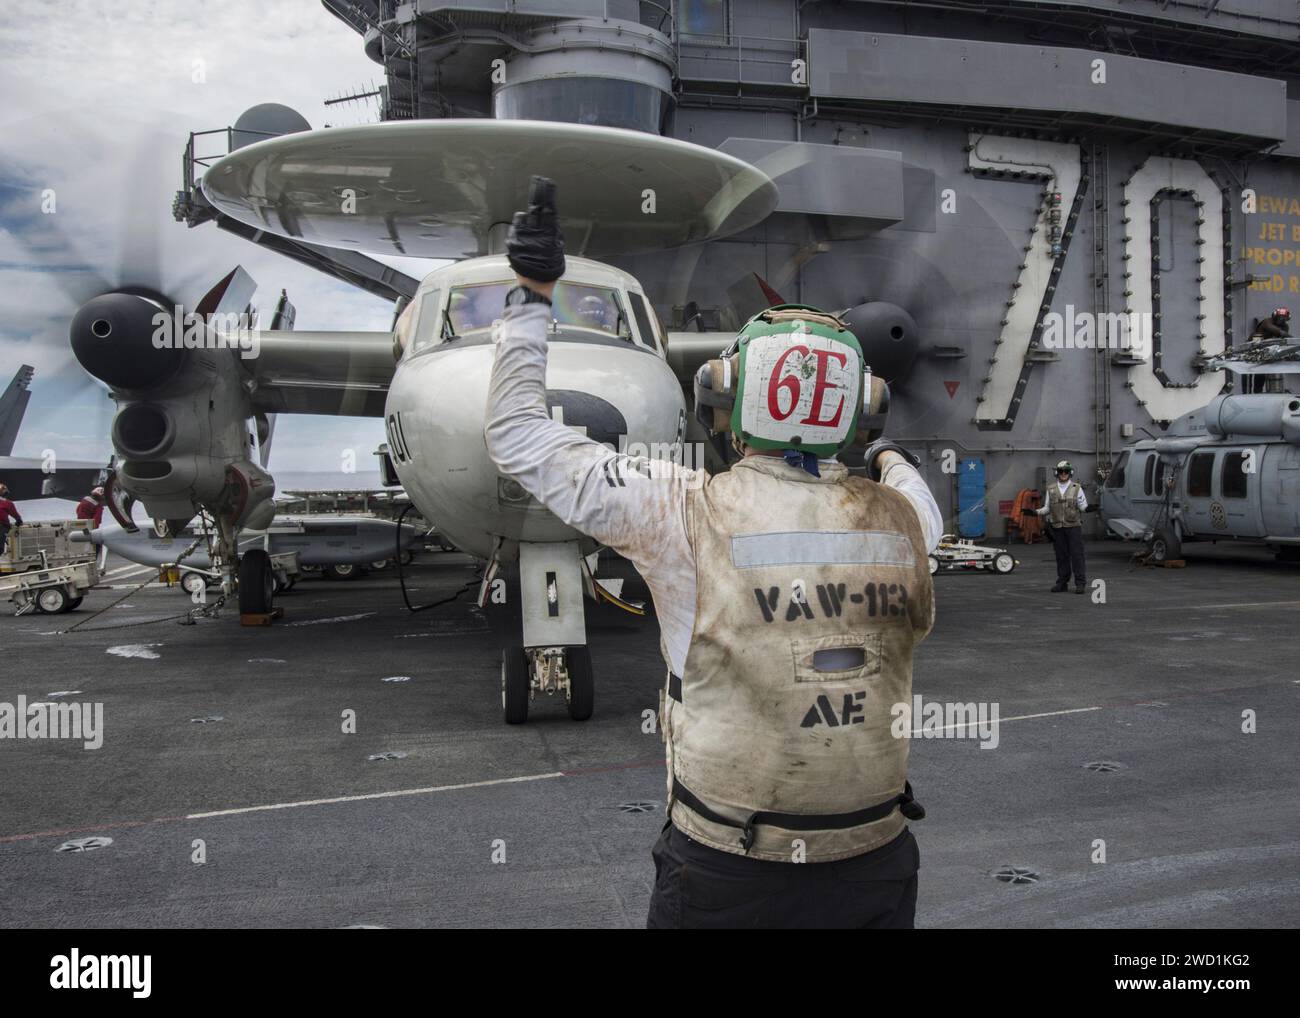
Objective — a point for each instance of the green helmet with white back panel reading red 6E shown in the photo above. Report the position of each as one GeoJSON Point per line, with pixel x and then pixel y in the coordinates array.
{"type": "Point", "coordinates": [800, 382]}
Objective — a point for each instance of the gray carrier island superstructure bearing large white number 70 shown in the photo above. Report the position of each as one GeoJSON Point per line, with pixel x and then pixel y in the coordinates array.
{"type": "Point", "coordinates": [1056, 211]}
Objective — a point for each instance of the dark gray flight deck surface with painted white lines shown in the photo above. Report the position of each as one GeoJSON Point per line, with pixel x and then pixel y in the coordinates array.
{"type": "Point", "coordinates": [233, 737]}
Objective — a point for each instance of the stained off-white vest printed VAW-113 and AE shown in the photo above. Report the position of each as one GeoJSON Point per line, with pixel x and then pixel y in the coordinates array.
{"type": "Point", "coordinates": [752, 727]}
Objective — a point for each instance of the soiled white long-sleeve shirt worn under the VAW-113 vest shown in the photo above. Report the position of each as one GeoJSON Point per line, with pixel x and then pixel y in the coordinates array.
{"type": "Point", "coordinates": [645, 519]}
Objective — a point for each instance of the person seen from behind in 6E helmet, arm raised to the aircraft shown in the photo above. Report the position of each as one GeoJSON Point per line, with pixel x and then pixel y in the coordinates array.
{"type": "Point", "coordinates": [790, 594]}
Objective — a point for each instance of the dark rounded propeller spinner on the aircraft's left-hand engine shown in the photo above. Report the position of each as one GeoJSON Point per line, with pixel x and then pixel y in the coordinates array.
{"type": "Point", "coordinates": [112, 339]}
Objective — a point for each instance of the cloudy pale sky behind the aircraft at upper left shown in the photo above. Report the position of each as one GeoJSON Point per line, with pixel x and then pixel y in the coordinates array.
{"type": "Point", "coordinates": [97, 102]}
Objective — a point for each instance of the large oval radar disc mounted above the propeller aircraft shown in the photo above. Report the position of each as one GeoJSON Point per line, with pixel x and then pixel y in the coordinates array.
{"type": "Point", "coordinates": [379, 188]}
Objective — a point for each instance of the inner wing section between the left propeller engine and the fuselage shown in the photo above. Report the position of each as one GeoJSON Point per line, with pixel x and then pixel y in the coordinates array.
{"type": "Point", "coordinates": [336, 372]}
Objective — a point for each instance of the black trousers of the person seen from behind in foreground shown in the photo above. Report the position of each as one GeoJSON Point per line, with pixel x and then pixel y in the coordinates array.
{"type": "Point", "coordinates": [697, 887]}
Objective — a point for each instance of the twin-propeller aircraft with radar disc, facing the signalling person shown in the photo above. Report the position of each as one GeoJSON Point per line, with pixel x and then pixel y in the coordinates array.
{"type": "Point", "coordinates": [190, 419]}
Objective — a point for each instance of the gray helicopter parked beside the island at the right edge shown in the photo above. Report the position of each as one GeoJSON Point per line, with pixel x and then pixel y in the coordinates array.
{"type": "Point", "coordinates": [1229, 471]}
